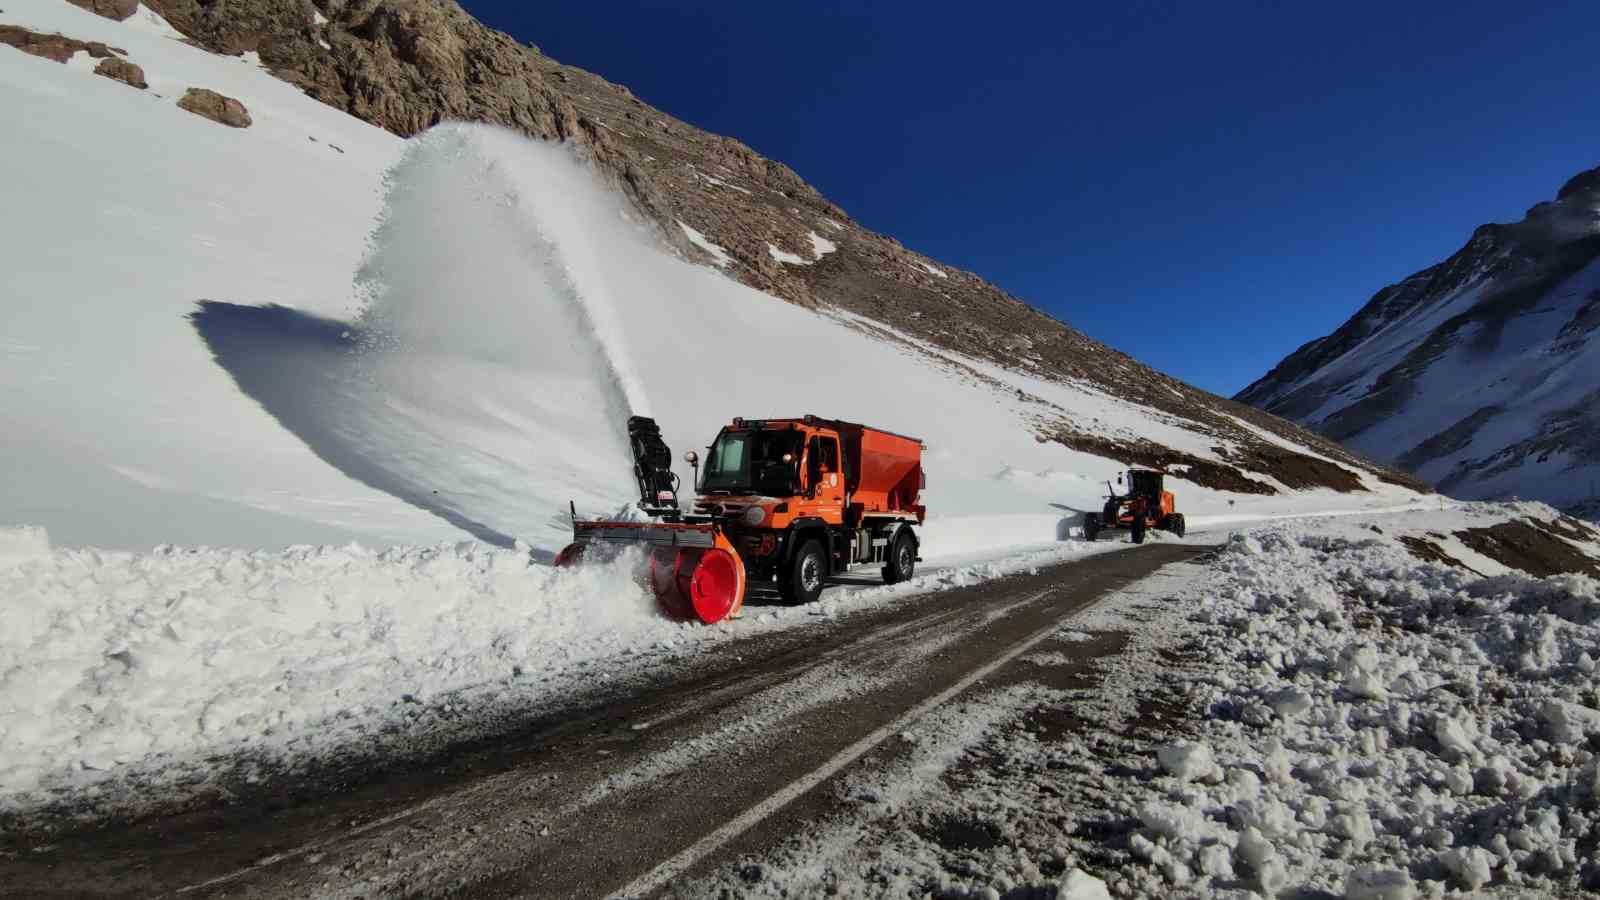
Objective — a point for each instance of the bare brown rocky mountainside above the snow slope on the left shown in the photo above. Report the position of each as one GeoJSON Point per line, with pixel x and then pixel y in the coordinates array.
{"type": "Point", "coordinates": [407, 65]}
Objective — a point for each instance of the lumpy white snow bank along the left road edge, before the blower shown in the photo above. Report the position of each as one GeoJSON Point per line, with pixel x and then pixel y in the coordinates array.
{"type": "Point", "coordinates": [111, 659]}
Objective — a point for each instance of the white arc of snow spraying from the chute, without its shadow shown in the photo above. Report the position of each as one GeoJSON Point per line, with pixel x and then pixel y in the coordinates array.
{"type": "Point", "coordinates": [486, 239]}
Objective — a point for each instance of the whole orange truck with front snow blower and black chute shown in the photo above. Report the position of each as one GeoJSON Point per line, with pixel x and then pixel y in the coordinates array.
{"type": "Point", "coordinates": [788, 500]}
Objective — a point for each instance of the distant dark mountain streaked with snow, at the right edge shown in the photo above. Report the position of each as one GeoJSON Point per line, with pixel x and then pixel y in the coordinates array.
{"type": "Point", "coordinates": [1481, 374]}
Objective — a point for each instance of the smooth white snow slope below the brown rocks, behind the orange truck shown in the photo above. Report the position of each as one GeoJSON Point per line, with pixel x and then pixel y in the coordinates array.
{"type": "Point", "coordinates": [311, 331]}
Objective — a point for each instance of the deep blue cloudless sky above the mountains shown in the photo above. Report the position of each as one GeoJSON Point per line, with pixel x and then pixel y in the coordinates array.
{"type": "Point", "coordinates": [1201, 185]}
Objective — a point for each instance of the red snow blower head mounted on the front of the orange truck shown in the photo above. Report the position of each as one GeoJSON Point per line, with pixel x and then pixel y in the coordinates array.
{"type": "Point", "coordinates": [694, 569]}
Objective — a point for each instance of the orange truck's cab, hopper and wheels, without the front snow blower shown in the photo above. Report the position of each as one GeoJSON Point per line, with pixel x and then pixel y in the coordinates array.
{"type": "Point", "coordinates": [804, 499]}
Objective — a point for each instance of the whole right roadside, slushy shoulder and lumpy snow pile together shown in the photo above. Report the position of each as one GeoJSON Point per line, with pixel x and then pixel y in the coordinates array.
{"type": "Point", "coordinates": [1318, 713]}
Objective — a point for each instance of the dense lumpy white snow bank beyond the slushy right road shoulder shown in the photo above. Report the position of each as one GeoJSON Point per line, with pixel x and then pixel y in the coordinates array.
{"type": "Point", "coordinates": [1377, 726]}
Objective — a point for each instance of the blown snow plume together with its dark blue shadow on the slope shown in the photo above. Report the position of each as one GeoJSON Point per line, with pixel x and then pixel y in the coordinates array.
{"type": "Point", "coordinates": [487, 379]}
